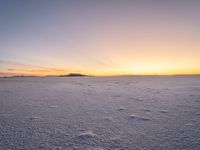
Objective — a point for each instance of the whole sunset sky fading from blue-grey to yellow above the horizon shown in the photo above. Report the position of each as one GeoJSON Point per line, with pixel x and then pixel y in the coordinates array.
{"type": "Point", "coordinates": [99, 37]}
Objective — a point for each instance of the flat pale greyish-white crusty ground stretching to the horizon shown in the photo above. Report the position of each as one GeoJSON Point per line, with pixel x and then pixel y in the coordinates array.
{"type": "Point", "coordinates": [100, 113]}
